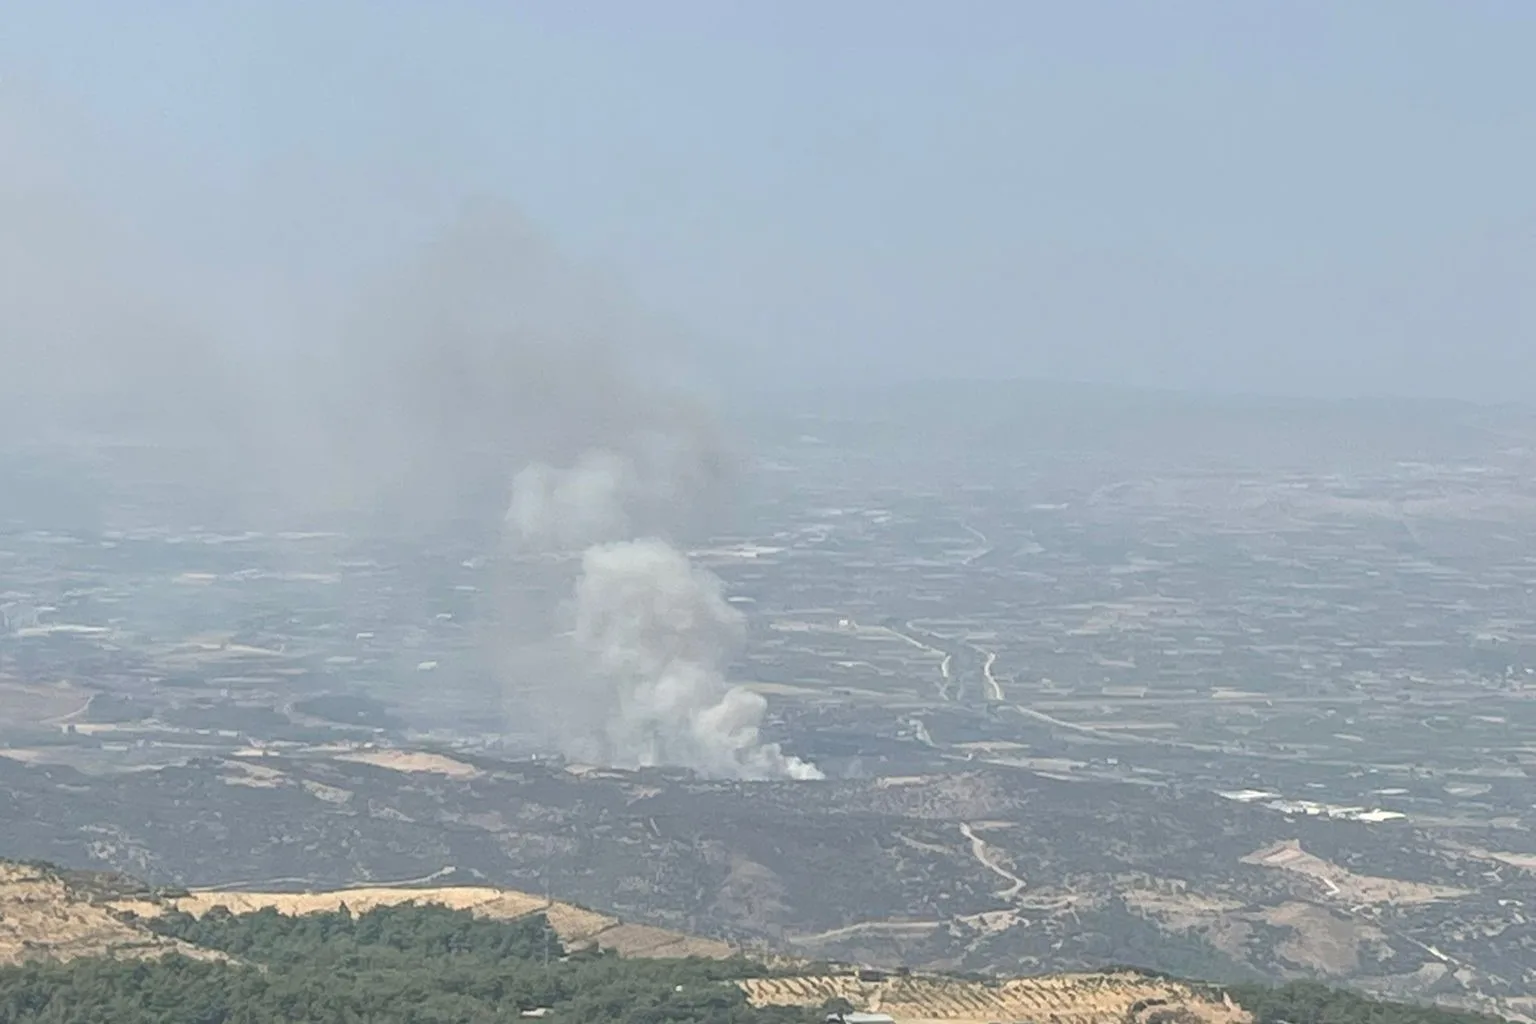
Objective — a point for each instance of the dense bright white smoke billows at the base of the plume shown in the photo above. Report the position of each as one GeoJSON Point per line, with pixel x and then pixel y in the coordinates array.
{"type": "Point", "coordinates": [652, 632]}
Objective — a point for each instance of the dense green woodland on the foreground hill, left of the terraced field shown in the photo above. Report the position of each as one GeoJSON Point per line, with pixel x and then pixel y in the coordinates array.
{"type": "Point", "coordinates": [394, 965]}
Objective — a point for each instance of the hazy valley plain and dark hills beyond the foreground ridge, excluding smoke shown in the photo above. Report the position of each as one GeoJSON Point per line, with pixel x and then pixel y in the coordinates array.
{"type": "Point", "coordinates": [1084, 693]}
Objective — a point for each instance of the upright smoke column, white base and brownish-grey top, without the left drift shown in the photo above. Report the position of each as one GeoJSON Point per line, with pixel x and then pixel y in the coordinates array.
{"type": "Point", "coordinates": [494, 360]}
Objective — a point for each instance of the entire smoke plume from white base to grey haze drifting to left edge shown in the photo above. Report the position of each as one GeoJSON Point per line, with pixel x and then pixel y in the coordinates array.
{"type": "Point", "coordinates": [472, 391]}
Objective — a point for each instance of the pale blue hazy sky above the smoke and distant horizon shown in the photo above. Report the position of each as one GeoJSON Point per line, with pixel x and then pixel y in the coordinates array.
{"type": "Point", "coordinates": [1282, 197]}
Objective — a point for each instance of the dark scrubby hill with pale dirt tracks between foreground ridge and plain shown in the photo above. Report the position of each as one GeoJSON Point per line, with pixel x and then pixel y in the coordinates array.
{"type": "Point", "coordinates": [993, 868]}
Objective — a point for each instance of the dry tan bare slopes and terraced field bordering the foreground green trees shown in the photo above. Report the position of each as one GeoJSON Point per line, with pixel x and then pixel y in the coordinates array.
{"type": "Point", "coordinates": [55, 917]}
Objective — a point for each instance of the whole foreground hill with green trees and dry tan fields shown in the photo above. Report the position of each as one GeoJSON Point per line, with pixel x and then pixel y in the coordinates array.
{"type": "Point", "coordinates": [68, 942]}
